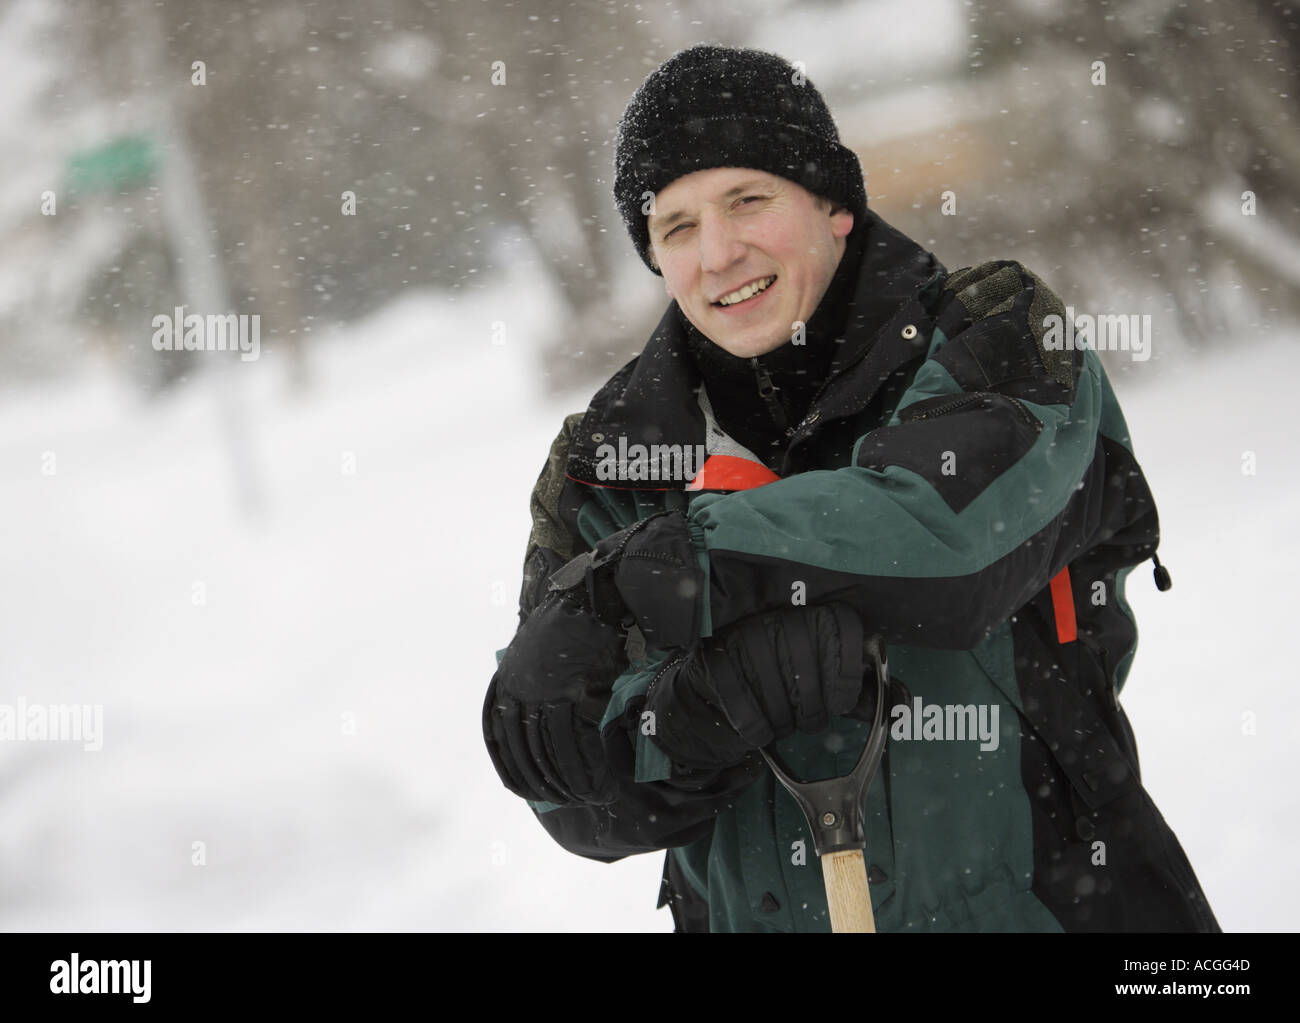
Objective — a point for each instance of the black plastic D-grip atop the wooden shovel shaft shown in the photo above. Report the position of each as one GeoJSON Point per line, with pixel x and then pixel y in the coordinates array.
{"type": "Point", "coordinates": [834, 807]}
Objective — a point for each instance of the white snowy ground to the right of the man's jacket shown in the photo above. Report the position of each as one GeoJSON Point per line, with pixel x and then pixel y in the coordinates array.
{"type": "Point", "coordinates": [1212, 697]}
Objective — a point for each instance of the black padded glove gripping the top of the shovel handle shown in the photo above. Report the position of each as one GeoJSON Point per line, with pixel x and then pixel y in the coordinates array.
{"type": "Point", "coordinates": [761, 680]}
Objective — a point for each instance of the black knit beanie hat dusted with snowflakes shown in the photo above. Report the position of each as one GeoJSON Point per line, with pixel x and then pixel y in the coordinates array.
{"type": "Point", "coordinates": [713, 106]}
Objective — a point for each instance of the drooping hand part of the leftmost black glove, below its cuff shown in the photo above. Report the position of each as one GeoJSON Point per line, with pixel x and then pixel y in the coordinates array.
{"type": "Point", "coordinates": [543, 714]}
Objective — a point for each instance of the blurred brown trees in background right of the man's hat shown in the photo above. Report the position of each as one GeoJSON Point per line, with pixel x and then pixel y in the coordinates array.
{"type": "Point", "coordinates": [1142, 175]}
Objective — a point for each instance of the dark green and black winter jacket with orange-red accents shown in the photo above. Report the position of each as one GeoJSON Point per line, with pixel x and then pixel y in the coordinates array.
{"type": "Point", "coordinates": [974, 493]}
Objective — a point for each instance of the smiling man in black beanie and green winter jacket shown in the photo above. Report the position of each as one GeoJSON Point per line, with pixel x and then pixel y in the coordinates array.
{"type": "Point", "coordinates": [829, 437]}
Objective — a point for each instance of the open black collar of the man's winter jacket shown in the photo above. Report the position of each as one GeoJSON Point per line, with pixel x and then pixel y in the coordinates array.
{"type": "Point", "coordinates": [655, 398]}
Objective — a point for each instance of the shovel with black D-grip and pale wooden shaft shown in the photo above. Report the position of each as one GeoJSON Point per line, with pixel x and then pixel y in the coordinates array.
{"type": "Point", "coordinates": [834, 809]}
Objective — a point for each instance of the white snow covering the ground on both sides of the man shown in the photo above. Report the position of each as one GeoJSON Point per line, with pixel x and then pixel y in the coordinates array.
{"type": "Point", "coordinates": [301, 692]}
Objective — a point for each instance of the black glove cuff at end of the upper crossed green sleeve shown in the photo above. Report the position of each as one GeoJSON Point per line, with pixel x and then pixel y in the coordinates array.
{"type": "Point", "coordinates": [647, 574]}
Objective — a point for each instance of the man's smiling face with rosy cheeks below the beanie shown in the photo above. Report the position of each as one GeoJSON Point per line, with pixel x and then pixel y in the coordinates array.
{"type": "Point", "coordinates": [718, 232]}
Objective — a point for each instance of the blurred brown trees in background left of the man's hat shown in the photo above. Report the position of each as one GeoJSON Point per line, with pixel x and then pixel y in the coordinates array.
{"type": "Point", "coordinates": [447, 125]}
